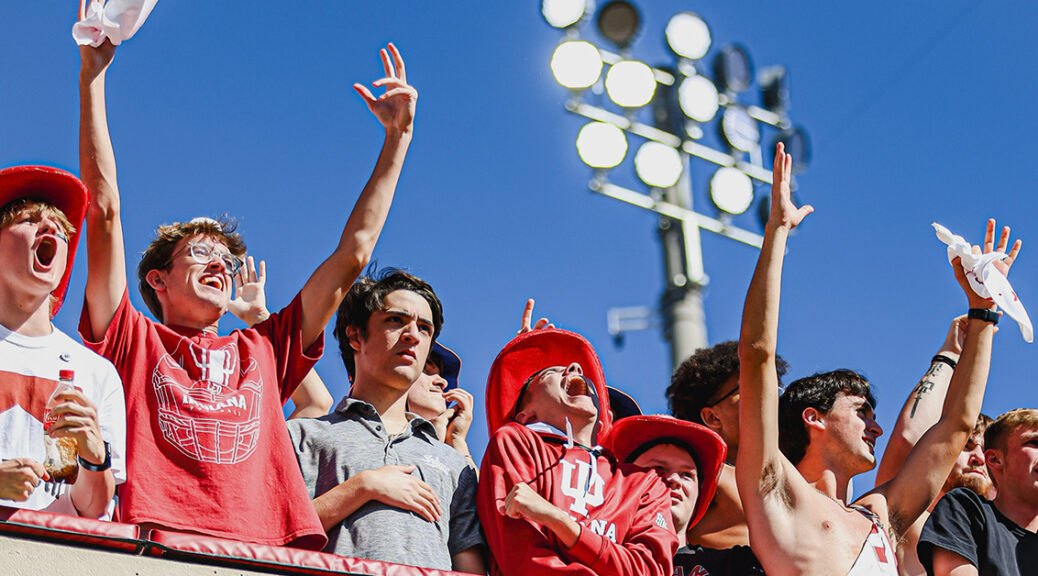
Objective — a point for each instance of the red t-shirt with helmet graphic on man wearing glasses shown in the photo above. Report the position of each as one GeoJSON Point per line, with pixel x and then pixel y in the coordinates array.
{"type": "Point", "coordinates": [207, 446]}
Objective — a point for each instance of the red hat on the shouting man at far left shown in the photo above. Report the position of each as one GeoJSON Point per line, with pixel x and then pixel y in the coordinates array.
{"type": "Point", "coordinates": [59, 188]}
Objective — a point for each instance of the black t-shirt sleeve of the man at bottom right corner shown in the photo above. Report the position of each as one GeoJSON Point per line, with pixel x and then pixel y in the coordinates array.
{"type": "Point", "coordinates": [957, 525]}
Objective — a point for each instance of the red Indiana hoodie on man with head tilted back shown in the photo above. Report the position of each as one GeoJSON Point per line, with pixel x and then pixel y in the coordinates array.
{"type": "Point", "coordinates": [624, 512]}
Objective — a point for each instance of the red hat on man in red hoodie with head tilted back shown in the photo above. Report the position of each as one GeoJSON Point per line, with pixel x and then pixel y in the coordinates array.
{"type": "Point", "coordinates": [532, 352]}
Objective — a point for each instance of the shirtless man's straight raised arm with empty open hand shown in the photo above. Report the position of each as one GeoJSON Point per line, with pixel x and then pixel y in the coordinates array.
{"type": "Point", "coordinates": [760, 465]}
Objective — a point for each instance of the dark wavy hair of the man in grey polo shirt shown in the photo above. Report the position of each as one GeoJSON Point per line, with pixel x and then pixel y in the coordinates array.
{"type": "Point", "coordinates": [366, 296]}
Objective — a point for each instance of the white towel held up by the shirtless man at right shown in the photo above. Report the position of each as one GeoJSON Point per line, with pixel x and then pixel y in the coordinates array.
{"type": "Point", "coordinates": [986, 279]}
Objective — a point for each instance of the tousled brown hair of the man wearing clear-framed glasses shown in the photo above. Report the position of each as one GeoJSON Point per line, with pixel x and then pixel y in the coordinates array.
{"type": "Point", "coordinates": [160, 252]}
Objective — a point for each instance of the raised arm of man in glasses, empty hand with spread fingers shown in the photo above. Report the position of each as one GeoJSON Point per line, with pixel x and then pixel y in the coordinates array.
{"type": "Point", "coordinates": [332, 281]}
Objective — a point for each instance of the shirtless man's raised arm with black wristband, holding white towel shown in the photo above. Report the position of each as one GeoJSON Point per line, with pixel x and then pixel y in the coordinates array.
{"type": "Point", "coordinates": [926, 468]}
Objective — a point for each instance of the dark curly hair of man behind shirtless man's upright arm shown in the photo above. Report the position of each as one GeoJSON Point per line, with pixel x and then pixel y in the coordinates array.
{"type": "Point", "coordinates": [702, 376]}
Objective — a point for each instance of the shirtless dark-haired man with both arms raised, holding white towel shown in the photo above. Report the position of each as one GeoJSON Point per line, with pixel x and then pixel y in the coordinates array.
{"type": "Point", "coordinates": [800, 523]}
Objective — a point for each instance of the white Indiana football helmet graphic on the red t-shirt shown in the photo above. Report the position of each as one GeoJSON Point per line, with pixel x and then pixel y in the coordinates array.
{"type": "Point", "coordinates": [209, 408]}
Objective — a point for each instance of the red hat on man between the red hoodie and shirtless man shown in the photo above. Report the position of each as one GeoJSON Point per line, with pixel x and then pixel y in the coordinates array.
{"type": "Point", "coordinates": [631, 434]}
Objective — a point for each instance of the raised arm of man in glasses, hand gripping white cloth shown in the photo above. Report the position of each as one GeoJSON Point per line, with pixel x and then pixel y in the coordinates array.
{"type": "Point", "coordinates": [106, 279]}
